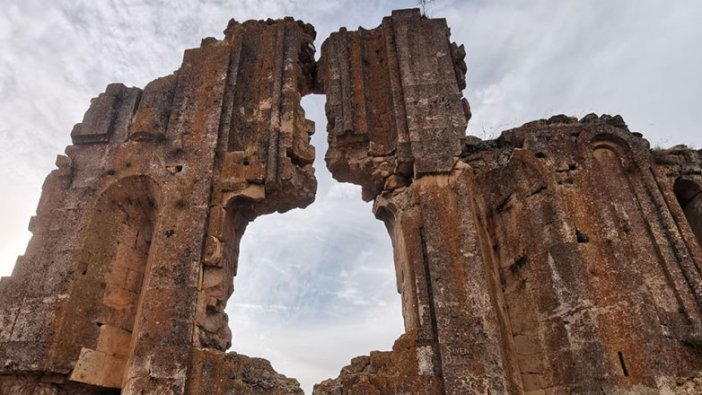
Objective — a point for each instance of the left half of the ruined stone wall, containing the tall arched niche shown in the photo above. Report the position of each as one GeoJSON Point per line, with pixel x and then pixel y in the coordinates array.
{"type": "Point", "coordinates": [135, 243]}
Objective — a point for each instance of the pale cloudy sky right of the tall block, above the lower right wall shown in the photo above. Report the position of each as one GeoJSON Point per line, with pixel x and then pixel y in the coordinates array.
{"type": "Point", "coordinates": [532, 60]}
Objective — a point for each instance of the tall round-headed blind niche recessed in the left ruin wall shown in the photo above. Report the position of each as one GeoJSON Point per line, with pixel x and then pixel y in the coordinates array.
{"type": "Point", "coordinates": [112, 270]}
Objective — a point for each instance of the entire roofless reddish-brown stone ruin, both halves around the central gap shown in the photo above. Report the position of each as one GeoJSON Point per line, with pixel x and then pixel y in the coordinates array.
{"type": "Point", "coordinates": [562, 257]}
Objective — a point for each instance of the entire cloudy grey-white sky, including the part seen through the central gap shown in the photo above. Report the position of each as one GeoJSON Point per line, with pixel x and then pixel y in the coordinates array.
{"type": "Point", "coordinates": [316, 287]}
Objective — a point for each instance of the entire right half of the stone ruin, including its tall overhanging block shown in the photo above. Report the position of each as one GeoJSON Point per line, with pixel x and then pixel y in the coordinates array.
{"type": "Point", "coordinates": [562, 257]}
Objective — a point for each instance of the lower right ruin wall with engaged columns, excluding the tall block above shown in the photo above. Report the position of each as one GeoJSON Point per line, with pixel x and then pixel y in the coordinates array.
{"type": "Point", "coordinates": [559, 258]}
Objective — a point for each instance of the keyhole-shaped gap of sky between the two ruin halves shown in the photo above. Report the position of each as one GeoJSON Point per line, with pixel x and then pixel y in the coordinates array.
{"type": "Point", "coordinates": [316, 287]}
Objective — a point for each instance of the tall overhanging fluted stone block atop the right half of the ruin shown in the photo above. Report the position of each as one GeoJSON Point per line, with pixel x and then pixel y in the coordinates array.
{"type": "Point", "coordinates": [394, 104]}
